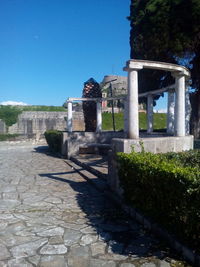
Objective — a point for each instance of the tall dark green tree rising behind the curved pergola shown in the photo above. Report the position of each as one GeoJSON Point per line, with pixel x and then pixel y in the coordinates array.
{"type": "Point", "coordinates": [168, 30]}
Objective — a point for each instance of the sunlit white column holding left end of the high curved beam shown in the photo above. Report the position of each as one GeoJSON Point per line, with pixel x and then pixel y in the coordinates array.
{"type": "Point", "coordinates": [133, 118]}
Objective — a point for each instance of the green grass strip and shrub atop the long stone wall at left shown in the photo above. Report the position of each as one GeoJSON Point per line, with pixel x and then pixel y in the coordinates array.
{"type": "Point", "coordinates": [9, 114]}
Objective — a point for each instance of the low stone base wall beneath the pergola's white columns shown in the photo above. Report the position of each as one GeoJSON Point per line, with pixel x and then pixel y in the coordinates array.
{"type": "Point", "coordinates": [74, 142]}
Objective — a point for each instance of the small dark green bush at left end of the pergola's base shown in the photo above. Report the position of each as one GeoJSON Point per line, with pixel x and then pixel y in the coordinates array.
{"type": "Point", "coordinates": [54, 140]}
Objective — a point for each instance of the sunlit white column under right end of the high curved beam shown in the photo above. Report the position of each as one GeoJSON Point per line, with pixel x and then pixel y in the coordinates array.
{"type": "Point", "coordinates": [180, 105]}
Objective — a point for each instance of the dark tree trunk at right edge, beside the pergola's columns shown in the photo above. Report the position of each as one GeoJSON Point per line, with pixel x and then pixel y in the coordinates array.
{"type": "Point", "coordinates": [195, 115]}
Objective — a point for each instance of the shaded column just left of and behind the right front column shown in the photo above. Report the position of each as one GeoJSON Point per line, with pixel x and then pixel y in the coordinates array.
{"type": "Point", "coordinates": [170, 112]}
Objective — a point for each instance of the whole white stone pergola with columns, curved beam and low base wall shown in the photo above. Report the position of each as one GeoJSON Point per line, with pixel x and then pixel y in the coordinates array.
{"type": "Point", "coordinates": [176, 138]}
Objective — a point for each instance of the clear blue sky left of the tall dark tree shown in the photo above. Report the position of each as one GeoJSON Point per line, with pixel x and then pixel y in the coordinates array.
{"type": "Point", "coordinates": [49, 48]}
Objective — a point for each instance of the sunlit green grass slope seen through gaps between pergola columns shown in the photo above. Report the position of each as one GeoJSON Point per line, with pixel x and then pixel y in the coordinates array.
{"type": "Point", "coordinates": [160, 120]}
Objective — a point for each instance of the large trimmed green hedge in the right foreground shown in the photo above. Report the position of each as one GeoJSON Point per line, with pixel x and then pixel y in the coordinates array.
{"type": "Point", "coordinates": [165, 188]}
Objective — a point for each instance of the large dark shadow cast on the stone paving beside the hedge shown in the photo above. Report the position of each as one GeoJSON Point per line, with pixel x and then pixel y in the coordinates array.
{"type": "Point", "coordinates": [123, 235]}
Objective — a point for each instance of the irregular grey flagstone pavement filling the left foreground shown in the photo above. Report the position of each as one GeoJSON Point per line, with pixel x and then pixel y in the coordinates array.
{"type": "Point", "coordinates": [50, 216]}
